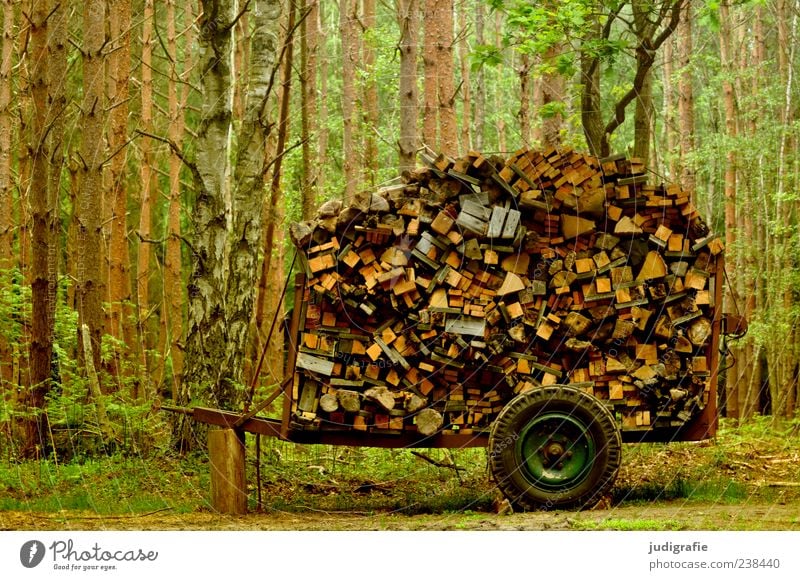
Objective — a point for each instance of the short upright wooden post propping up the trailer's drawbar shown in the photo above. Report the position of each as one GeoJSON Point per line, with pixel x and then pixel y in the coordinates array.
{"type": "Point", "coordinates": [227, 457]}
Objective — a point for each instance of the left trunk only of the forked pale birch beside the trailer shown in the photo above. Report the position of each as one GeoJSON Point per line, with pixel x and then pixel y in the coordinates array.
{"type": "Point", "coordinates": [205, 375]}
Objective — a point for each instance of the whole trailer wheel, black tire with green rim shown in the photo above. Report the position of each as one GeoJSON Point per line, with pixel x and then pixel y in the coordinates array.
{"type": "Point", "coordinates": [555, 448]}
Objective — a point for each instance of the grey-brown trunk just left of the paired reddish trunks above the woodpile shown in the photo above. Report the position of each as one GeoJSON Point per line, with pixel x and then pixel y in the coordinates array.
{"type": "Point", "coordinates": [408, 19]}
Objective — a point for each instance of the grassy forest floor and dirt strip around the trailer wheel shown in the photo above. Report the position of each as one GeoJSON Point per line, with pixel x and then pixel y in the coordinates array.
{"type": "Point", "coordinates": [748, 478]}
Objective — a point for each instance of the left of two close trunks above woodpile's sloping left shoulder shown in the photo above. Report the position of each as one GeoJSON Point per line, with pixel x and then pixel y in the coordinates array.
{"type": "Point", "coordinates": [348, 14]}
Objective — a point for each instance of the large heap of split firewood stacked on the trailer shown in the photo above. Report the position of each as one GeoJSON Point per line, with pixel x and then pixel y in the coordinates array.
{"type": "Point", "coordinates": [433, 301]}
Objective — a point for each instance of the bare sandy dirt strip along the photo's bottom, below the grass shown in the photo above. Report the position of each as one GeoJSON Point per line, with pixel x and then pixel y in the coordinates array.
{"type": "Point", "coordinates": [675, 515]}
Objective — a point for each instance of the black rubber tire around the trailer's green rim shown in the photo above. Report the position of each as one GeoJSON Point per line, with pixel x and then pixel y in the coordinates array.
{"type": "Point", "coordinates": [509, 467]}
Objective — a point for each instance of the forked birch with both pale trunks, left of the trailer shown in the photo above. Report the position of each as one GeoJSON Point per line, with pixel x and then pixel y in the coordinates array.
{"type": "Point", "coordinates": [224, 267]}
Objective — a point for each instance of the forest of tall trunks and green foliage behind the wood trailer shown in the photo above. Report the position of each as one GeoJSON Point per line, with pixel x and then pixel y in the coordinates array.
{"type": "Point", "coordinates": [153, 155]}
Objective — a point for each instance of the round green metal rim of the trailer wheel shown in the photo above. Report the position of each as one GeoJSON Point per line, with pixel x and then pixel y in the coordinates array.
{"type": "Point", "coordinates": [556, 451]}
